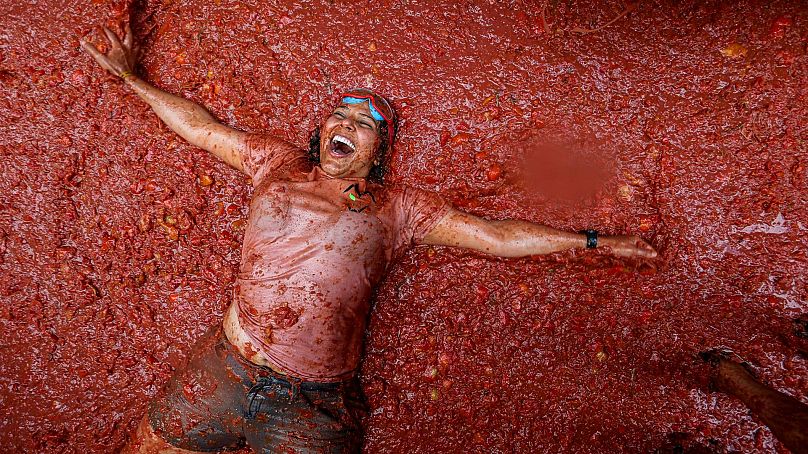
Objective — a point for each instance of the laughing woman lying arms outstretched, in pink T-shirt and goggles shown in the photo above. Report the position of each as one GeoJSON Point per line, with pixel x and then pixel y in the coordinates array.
{"type": "Point", "coordinates": [280, 373]}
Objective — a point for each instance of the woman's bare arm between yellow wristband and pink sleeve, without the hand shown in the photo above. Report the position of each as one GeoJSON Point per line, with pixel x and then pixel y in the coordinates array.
{"type": "Point", "coordinates": [191, 122]}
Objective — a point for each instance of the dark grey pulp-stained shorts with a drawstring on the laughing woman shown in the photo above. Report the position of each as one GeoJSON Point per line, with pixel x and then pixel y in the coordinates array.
{"type": "Point", "coordinates": [220, 401]}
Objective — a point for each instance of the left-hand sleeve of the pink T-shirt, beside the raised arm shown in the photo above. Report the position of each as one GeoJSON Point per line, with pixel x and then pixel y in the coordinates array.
{"type": "Point", "coordinates": [264, 154]}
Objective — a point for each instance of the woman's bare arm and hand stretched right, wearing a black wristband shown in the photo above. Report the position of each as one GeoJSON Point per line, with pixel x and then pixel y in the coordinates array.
{"type": "Point", "coordinates": [513, 238]}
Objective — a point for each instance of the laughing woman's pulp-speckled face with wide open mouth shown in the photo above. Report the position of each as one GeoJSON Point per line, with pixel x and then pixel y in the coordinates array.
{"type": "Point", "coordinates": [349, 139]}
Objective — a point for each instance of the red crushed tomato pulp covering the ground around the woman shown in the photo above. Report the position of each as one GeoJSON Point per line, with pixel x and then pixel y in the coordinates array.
{"type": "Point", "coordinates": [682, 122]}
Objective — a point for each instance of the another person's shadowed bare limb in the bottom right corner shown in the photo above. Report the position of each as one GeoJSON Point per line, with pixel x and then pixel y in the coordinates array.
{"type": "Point", "coordinates": [786, 416]}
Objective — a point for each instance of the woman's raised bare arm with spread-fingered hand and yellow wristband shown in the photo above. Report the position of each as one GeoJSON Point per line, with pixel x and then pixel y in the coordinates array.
{"type": "Point", "coordinates": [191, 121]}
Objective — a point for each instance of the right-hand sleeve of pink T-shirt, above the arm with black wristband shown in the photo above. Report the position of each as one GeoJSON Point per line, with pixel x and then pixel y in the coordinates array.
{"type": "Point", "coordinates": [417, 212]}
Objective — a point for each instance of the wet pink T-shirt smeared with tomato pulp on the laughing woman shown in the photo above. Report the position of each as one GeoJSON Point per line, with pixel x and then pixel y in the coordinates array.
{"type": "Point", "coordinates": [312, 255]}
